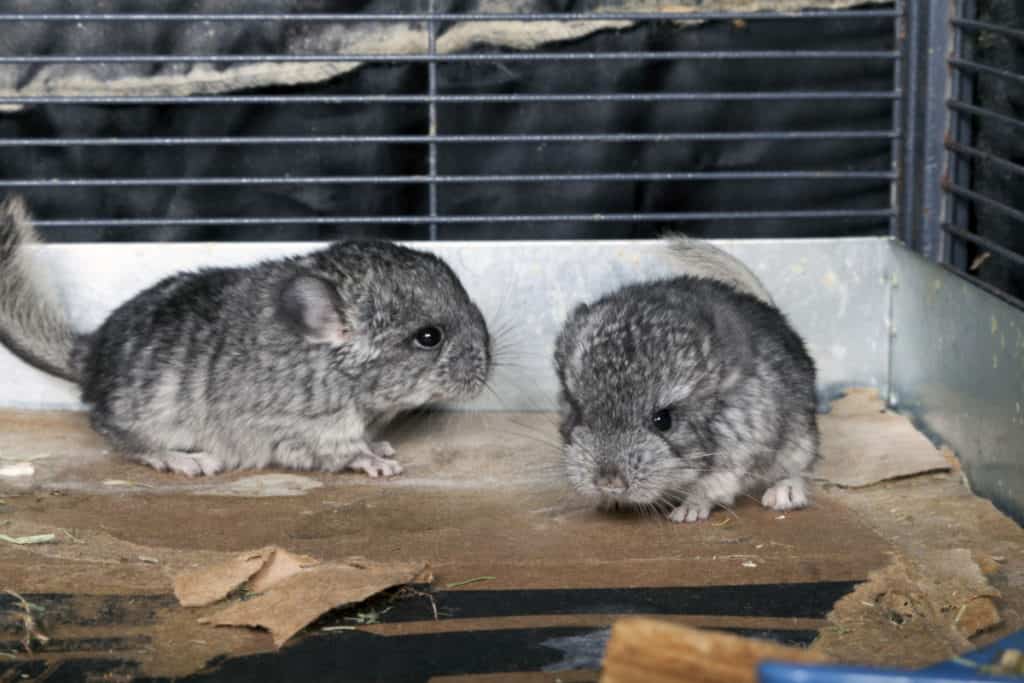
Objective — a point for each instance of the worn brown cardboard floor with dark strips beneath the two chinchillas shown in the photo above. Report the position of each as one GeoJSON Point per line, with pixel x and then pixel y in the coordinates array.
{"type": "Point", "coordinates": [897, 563]}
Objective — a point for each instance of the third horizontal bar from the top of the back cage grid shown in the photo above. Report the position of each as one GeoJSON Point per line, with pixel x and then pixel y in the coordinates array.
{"type": "Point", "coordinates": [456, 100]}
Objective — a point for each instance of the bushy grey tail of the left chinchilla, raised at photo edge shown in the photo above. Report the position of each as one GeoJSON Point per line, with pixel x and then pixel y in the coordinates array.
{"type": "Point", "coordinates": [33, 325]}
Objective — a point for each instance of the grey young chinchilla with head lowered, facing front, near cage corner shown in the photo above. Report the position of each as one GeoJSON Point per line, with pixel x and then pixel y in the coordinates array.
{"type": "Point", "coordinates": [684, 394]}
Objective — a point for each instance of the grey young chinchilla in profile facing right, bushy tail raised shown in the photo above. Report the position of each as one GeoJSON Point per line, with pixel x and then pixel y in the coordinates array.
{"type": "Point", "coordinates": [287, 363]}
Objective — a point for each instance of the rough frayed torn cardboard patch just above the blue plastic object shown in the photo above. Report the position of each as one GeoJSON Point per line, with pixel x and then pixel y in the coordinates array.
{"type": "Point", "coordinates": [937, 603]}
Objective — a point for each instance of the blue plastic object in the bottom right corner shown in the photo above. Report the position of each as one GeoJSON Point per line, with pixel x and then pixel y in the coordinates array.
{"type": "Point", "coordinates": [956, 671]}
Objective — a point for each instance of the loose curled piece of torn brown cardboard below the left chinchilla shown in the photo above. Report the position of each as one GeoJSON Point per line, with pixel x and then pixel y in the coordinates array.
{"type": "Point", "coordinates": [289, 592]}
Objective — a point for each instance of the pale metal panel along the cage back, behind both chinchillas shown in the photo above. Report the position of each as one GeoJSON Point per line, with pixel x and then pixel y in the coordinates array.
{"type": "Point", "coordinates": [835, 291]}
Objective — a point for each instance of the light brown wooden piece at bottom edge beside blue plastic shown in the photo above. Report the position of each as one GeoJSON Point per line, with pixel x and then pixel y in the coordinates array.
{"type": "Point", "coordinates": [648, 651]}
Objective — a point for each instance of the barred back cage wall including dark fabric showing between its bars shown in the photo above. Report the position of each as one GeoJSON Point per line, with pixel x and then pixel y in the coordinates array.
{"type": "Point", "coordinates": [446, 120]}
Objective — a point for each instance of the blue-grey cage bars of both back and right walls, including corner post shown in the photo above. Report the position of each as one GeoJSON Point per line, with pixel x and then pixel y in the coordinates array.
{"type": "Point", "coordinates": [933, 205]}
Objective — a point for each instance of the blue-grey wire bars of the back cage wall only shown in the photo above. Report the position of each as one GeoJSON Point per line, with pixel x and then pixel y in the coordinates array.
{"type": "Point", "coordinates": [435, 142]}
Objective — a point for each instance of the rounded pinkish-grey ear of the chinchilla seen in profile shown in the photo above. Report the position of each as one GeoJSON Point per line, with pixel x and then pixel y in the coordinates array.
{"type": "Point", "coordinates": [313, 308]}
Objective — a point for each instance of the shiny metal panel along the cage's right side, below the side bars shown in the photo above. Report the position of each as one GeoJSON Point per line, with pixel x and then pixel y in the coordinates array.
{"type": "Point", "coordinates": [959, 369]}
